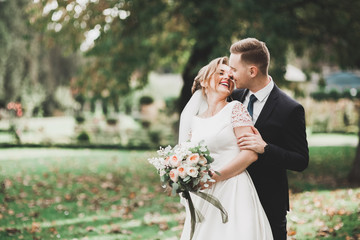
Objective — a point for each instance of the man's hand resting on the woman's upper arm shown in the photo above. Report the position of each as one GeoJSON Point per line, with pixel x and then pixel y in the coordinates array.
{"type": "Point", "coordinates": [252, 141]}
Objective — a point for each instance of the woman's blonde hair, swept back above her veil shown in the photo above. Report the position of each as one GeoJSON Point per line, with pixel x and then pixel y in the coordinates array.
{"type": "Point", "coordinates": [206, 73]}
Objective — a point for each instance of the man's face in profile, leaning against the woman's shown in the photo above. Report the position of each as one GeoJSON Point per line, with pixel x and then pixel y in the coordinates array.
{"type": "Point", "coordinates": [239, 71]}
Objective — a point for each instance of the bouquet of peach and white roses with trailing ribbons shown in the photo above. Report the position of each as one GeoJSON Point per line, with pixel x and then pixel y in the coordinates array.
{"type": "Point", "coordinates": [186, 168]}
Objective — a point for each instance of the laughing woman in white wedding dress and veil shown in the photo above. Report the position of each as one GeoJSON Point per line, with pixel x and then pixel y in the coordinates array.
{"type": "Point", "coordinates": [209, 117]}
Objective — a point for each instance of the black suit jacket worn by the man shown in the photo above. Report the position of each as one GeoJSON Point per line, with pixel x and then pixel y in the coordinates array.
{"type": "Point", "coordinates": [281, 124]}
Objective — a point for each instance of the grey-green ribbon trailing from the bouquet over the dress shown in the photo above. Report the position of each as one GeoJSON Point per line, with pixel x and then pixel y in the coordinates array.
{"type": "Point", "coordinates": [193, 212]}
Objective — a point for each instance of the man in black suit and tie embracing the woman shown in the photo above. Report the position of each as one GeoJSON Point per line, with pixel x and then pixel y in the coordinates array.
{"type": "Point", "coordinates": [279, 137]}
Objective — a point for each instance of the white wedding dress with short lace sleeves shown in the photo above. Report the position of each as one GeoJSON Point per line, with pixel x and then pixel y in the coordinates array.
{"type": "Point", "coordinates": [246, 217]}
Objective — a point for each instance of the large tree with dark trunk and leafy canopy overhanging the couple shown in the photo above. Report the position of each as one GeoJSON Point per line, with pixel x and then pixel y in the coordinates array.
{"type": "Point", "coordinates": [134, 37]}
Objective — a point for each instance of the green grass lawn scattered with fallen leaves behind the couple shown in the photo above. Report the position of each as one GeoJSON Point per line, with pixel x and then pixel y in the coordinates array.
{"type": "Point", "coordinates": [108, 194]}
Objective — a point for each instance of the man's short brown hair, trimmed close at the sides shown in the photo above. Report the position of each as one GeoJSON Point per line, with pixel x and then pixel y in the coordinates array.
{"type": "Point", "coordinates": [253, 51]}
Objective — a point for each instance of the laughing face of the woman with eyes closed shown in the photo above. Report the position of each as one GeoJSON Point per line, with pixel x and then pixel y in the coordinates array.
{"type": "Point", "coordinates": [221, 82]}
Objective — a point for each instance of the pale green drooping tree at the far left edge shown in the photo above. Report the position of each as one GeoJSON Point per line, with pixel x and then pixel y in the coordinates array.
{"type": "Point", "coordinates": [29, 72]}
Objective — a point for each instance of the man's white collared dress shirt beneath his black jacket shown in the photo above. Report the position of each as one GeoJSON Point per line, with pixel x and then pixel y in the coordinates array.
{"type": "Point", "coordinates": [261, 95]}
